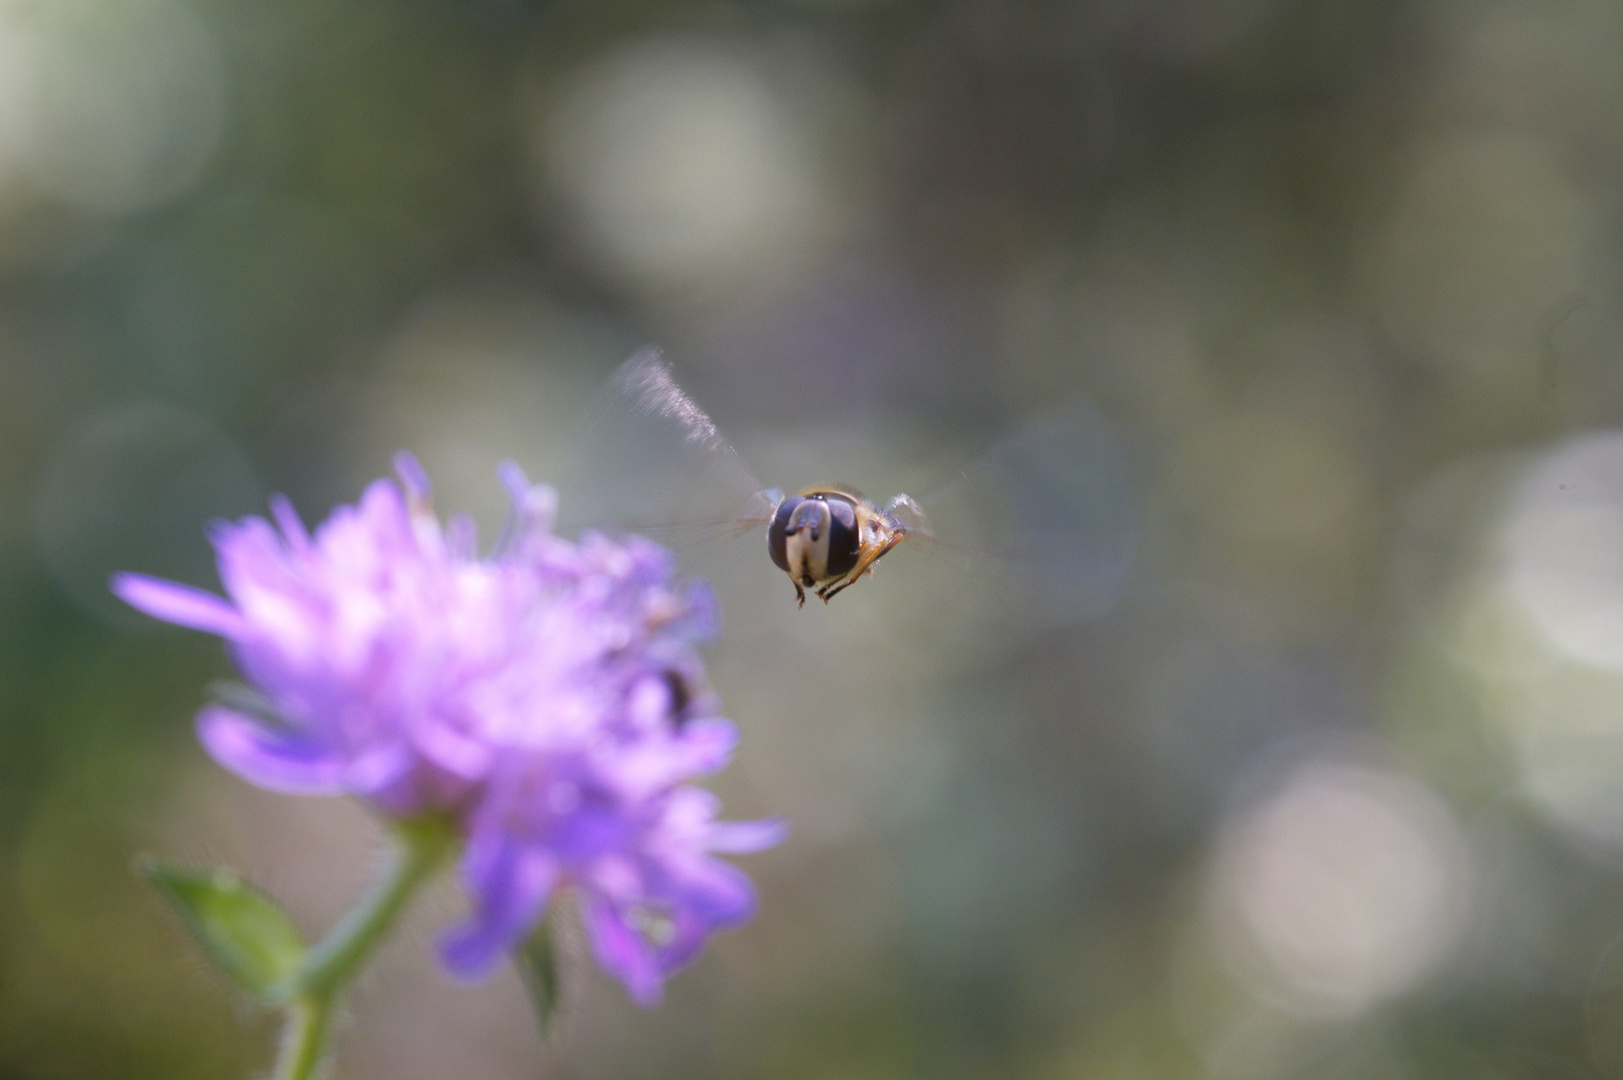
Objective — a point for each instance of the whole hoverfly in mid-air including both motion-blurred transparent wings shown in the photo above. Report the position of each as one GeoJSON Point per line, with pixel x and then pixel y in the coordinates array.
{"type": "Point", "coordinates": [1051, 495]}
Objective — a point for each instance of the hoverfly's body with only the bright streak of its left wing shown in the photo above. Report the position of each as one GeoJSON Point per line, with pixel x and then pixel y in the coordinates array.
{"type": "Point", "coordinates": [825, 538]}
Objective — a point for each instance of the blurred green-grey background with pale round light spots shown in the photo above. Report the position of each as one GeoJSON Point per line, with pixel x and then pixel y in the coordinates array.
{"type": "Point", "coordinates": [1306, 759]}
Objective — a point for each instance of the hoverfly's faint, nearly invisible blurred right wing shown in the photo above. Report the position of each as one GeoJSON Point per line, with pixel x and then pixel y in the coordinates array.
{"type": "Point", "coordinates": [1048, 514]}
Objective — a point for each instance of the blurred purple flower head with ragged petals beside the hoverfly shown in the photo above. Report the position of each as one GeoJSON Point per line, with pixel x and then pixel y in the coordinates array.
{"type": "Point", "coordinates": [549, 699]}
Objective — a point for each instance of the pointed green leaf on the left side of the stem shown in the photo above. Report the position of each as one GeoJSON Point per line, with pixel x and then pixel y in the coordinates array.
{"type": "Point", "coordinates": [241, 928]}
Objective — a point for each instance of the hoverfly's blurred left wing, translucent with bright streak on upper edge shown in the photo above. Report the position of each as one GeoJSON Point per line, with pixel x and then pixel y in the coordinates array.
{"type": "Point", "coordinates": [652, 460]}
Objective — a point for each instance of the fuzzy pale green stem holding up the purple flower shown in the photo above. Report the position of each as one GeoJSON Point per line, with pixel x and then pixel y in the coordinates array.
{"type": "Point", "coordinates": [423, 847]}
